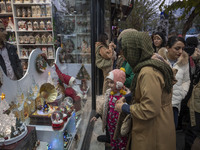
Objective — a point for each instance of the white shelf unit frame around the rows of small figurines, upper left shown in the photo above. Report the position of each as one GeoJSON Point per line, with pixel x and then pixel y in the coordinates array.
{"type": "Point", "coordinates": [24, 46]}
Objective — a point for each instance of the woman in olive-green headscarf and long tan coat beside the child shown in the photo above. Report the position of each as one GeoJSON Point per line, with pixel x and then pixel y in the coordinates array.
{"type": "Point", "coordinates": [151, 106]}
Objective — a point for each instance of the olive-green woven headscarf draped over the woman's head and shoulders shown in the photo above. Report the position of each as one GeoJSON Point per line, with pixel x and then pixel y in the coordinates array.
{"type": "Point", "coordinates": [137, 49]}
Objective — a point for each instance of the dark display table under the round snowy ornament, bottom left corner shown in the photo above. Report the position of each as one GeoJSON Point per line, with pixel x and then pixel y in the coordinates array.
{"type": "Point", "coordinates": [28, 142]}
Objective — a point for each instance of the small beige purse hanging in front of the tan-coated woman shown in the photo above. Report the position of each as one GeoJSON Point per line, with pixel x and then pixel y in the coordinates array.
{"type": "Point", "coordinates": [126, 126]}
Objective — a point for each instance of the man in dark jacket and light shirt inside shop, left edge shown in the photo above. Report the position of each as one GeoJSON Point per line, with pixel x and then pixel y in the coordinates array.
{"type": "Point", "coordinates": [9, 60]}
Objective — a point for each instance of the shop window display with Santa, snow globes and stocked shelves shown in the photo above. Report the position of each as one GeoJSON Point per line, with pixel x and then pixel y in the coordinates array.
{"type": "Point", "coordinates": [70, 99]}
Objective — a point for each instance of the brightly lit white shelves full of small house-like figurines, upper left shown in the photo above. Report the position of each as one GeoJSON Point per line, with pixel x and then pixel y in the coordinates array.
{"type": "Point", "coordinates": [34, 29]}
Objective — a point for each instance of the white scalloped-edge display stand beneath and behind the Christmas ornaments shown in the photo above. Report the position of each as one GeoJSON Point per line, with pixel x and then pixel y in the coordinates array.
{"type": "Point", "coordinates": [54, 138]}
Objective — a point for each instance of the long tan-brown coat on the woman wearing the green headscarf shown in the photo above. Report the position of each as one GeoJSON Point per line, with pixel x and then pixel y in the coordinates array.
{"type": "Point", "coordinates": [153, 125]}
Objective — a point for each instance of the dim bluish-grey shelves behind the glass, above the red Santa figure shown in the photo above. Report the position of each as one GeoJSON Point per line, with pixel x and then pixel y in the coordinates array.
{"type": "Point", "coordinates": [79, 34]}
